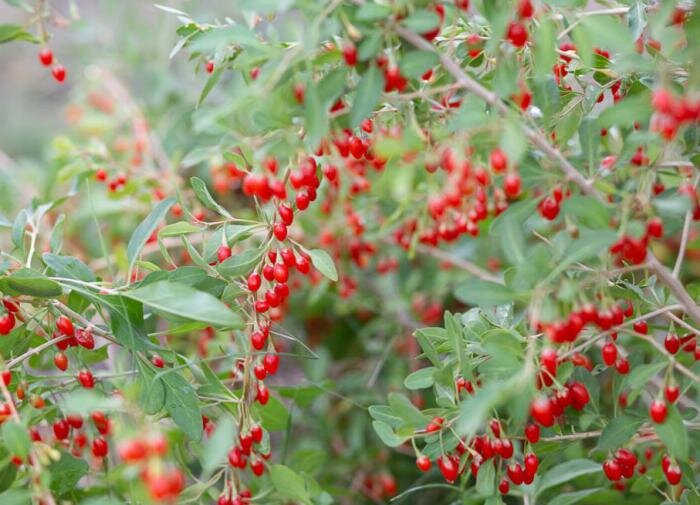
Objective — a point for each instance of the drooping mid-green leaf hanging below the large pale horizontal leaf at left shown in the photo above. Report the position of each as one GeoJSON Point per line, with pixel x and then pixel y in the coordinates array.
{"type": "Point", "coordinates": [182, 404]}
